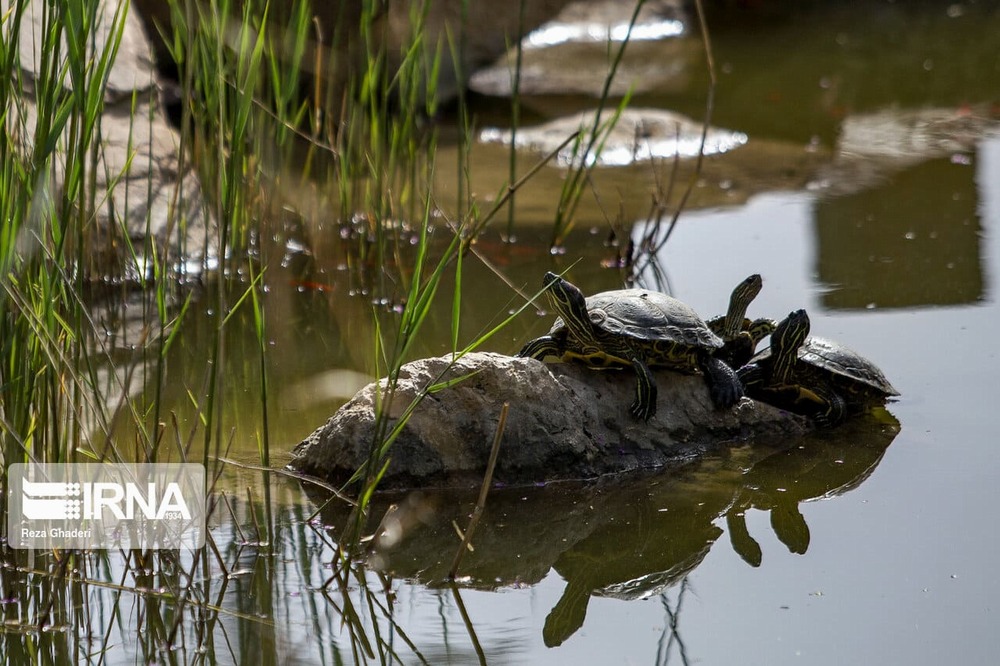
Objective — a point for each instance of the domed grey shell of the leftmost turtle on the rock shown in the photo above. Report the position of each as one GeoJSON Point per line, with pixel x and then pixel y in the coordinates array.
{"type": "Point", "coordinates": [648, 316]}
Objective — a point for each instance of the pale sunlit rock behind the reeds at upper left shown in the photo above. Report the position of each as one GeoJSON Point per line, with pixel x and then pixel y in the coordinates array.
{"type": "Point", "coordinates": [140, 182]}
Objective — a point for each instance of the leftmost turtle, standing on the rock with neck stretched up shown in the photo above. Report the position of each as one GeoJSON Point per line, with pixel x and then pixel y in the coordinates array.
{"type": "Point", "coordinates": [634, 328]}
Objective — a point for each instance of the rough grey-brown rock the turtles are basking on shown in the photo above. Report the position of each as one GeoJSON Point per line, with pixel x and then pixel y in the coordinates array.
{"type": "Point", "coordinates": [565, 421]}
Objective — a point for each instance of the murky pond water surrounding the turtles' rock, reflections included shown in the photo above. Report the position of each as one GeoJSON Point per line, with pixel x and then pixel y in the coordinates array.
{"type": "Point", "coordinates": [869, 194]}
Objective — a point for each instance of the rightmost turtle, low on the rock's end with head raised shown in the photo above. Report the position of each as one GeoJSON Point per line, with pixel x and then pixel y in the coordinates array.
{"type": "Point", "coordinates": [813, 376]}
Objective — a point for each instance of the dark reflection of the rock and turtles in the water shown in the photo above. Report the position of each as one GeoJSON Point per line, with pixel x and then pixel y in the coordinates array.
{"type": "Point", "coordinates": [626, 538]}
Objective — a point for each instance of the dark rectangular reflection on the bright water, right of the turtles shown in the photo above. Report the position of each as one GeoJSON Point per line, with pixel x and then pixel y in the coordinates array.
{"type": "Point", "coordinates": [913, 241]}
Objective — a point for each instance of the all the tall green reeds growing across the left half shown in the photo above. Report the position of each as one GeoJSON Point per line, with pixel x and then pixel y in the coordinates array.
{"type": "Point", "coordinates": [243, 117]}
